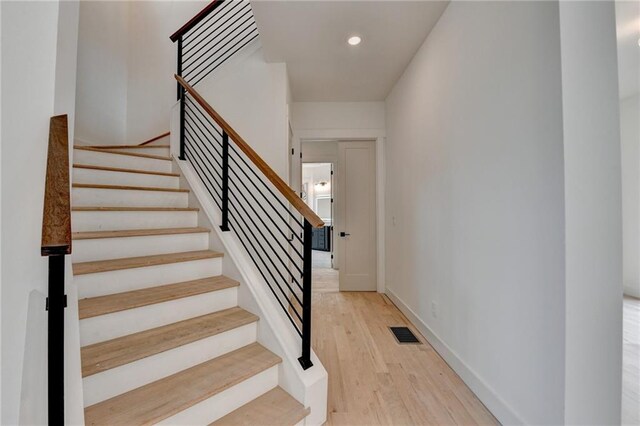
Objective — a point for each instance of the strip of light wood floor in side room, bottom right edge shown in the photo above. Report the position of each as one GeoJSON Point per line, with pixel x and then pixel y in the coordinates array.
{"type": "Point", "coordinates": [631, 362]}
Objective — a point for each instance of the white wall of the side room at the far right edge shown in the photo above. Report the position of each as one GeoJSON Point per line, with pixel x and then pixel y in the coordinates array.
{"type": "Point", "coordinates": [630, 154]}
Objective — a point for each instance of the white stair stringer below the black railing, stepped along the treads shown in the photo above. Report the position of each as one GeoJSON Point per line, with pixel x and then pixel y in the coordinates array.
{"type": "Point", "coordinates": [275, 333]}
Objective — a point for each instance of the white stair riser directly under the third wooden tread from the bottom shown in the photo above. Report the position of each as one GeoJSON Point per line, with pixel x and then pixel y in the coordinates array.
{"type": "Point", "coordinates": [116, 381]}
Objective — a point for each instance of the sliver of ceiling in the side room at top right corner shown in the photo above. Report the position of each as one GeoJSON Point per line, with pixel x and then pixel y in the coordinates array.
{"type": "Point", "coordinates": [628, 28]}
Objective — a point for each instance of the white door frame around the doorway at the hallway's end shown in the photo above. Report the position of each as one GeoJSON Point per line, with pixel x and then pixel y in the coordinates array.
{"type": "Point", "coordinates": [356, 135]}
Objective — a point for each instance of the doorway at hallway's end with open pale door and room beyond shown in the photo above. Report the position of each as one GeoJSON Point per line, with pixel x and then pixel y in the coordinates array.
{"type": "Point", "coordinates": [339, 184]}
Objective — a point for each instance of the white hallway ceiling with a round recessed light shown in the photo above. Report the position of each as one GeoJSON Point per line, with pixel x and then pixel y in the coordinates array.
{"type": "Point", "coordinates": [311, 37]}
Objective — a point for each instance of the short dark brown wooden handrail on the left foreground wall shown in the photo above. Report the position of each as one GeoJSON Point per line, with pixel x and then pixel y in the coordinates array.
{"type": "Point", "coordinates": [56, 216]}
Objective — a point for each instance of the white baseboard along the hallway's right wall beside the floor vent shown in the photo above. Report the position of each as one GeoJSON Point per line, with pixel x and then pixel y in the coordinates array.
{"type": "Point", "coordinates": [494, 403]}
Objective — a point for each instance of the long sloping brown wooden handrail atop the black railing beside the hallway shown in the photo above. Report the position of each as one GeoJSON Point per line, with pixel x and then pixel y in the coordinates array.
{"type": "Point", "coordinates": [266, 170]}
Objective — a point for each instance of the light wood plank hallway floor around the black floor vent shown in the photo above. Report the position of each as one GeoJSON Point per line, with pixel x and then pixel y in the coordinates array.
{"type": "Point", "coordinates": [375, 381]}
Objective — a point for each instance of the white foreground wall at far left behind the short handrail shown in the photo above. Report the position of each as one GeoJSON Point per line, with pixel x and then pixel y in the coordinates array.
{"type": "Point", "coordinates": [38, 66]}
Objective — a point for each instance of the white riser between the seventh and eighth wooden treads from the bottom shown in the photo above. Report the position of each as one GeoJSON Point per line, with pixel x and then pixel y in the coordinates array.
{"type": "Point", "coordinates": [87, 197]}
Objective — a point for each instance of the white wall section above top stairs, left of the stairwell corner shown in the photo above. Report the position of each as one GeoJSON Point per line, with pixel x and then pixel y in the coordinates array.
{"type": "Point", "coordinates": [102, 74]}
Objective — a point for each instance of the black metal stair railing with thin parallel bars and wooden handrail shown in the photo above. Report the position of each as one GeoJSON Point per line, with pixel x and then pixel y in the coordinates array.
{"type": "Point", "coordinates": [271, 222]}
